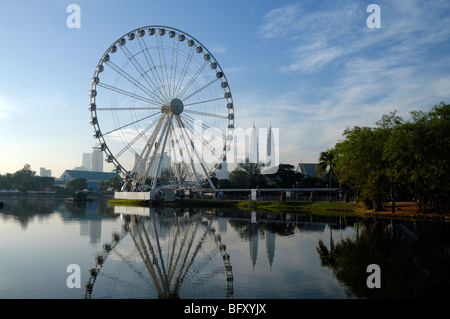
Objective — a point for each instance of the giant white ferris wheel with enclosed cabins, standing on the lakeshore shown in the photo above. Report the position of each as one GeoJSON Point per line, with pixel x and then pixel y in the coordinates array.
{"type": "Point", "coordinates": [161, 109]}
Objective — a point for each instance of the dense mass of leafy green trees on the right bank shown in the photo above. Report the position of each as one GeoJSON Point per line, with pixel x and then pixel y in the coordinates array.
{"type": "Point", "coordinates": [397, 159]}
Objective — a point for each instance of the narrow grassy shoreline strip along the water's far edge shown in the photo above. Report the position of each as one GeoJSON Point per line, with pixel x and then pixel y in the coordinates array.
{"type": "Point", "coordinates": [405, 211]}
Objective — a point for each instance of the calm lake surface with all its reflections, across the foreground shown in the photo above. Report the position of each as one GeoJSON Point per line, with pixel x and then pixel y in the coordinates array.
{"type": "Point", "coordinates": [214, 253]}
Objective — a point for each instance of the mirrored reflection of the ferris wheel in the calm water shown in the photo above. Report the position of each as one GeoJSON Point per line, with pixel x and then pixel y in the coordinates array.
{"type": "Point", "coordinates": [175, 253]}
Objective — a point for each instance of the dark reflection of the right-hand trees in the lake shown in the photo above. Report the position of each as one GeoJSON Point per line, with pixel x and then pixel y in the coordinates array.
{"type": "Point", "coordinates": [414, 259]}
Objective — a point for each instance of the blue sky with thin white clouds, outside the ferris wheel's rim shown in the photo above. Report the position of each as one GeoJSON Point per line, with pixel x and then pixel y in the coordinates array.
{"type": "Point", "coordinates": [309, 68]}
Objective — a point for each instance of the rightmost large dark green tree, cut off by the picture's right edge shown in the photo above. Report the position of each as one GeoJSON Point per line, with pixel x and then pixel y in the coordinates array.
{"type": "Point", "coordinates": [418, 156]}
